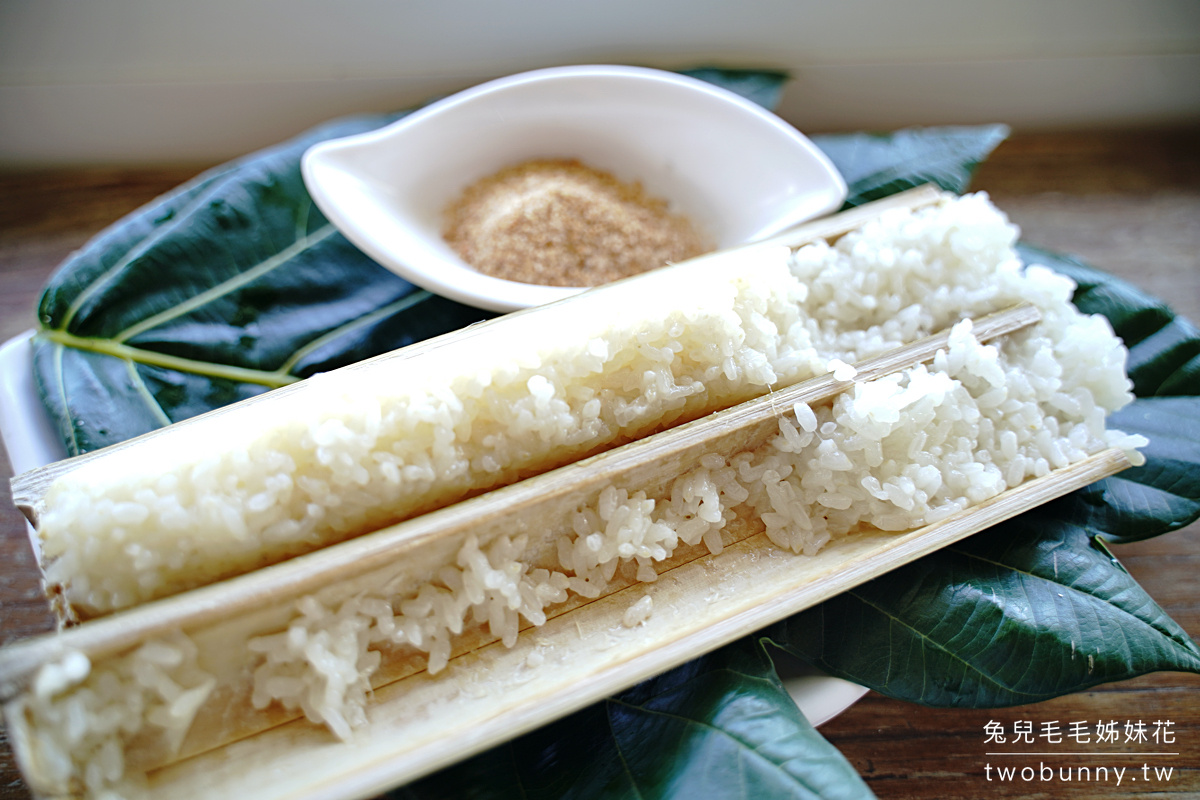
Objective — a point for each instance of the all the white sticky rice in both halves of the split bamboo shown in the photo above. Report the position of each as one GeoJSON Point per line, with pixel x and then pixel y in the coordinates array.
{"type": "Point", "coordinates": [359, 448]}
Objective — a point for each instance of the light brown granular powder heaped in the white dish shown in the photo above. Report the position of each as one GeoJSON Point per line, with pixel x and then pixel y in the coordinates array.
{"type": "Point", "coordinates": [562, 224]}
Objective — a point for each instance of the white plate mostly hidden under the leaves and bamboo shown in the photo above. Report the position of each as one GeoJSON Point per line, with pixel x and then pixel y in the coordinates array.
{"type": "Point", "coordinates": [33, 442]}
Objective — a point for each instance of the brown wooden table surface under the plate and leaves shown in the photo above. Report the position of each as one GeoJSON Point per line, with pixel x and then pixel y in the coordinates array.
{"type": "Point", "coordinates": [1127, 202]}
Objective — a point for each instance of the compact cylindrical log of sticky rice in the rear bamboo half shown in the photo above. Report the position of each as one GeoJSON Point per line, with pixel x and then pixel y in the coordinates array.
{"type": "Point", "coordinates": [361, 448]}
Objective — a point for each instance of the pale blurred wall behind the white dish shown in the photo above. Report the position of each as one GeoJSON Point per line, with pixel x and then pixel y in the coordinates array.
{"type": "Point", "coordinates": [163, 81]}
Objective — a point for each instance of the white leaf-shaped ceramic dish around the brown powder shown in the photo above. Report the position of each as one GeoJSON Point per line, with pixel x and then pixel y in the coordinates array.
{"type": "Point", "coordinates": [736, 171]}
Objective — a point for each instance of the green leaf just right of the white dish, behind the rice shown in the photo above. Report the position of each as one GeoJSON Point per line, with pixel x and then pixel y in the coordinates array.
{"type": "Point", "coordinates": [879, 165]}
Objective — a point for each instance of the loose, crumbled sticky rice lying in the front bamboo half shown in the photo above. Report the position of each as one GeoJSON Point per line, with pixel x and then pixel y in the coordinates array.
{"type": "Point", "coordinates": [835, 468]}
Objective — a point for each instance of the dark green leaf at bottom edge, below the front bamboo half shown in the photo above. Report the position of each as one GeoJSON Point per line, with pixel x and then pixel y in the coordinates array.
{"type": "Point", "coordinates": [722, 726]}
